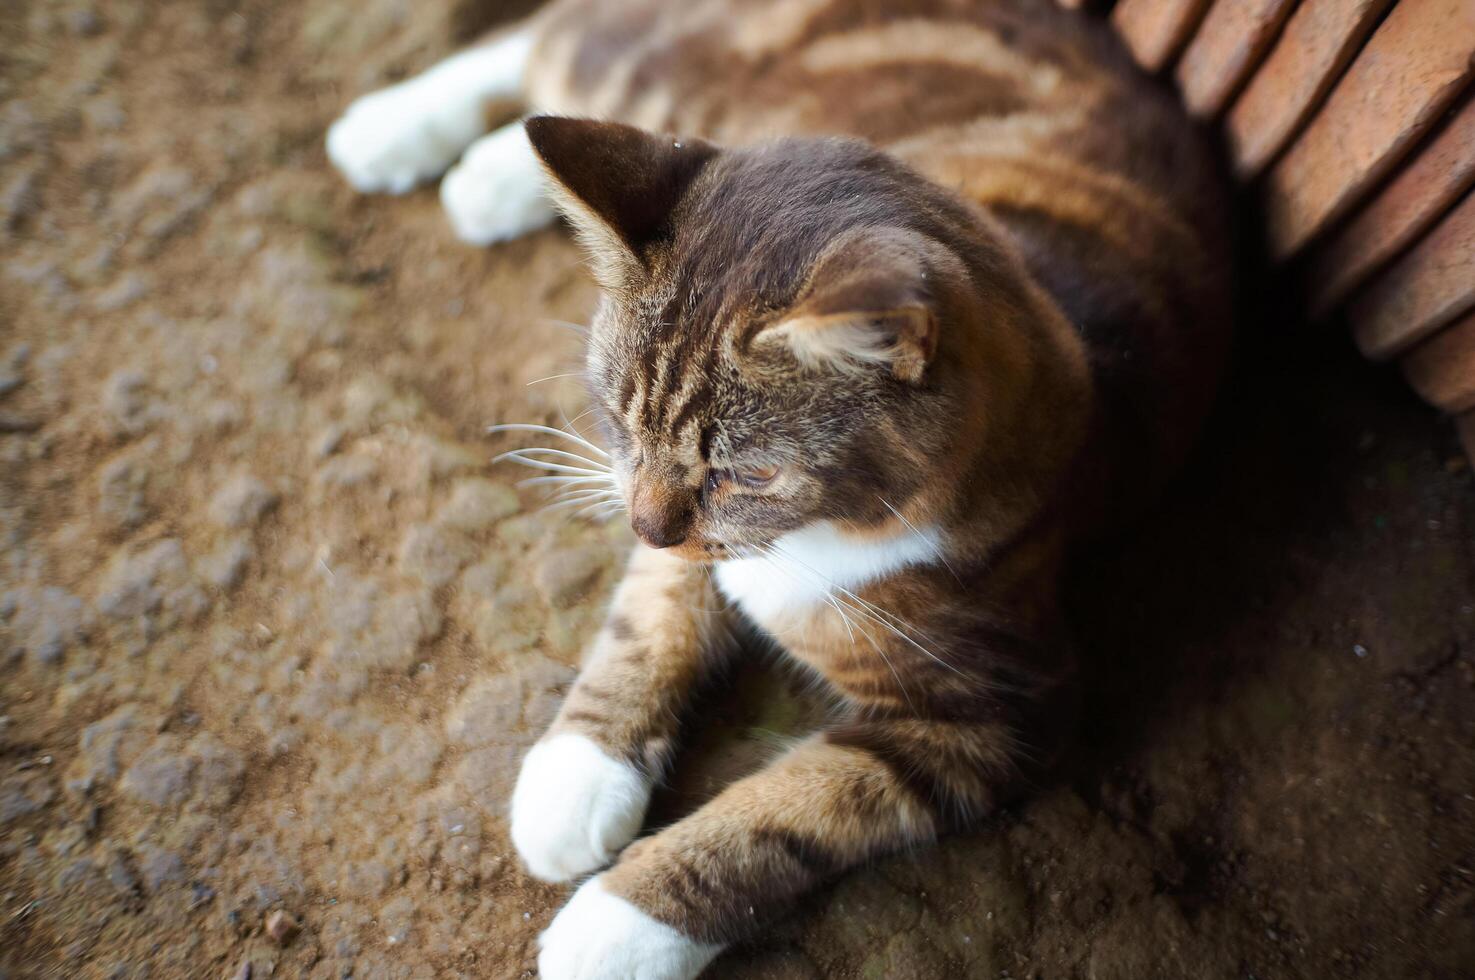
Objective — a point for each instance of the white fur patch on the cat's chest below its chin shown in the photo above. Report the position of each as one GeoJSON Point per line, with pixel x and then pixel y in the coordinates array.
{"type": "Point", "coordinates": [816, 562]}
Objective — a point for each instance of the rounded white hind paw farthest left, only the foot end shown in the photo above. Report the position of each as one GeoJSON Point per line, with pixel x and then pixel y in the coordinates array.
{"type": "Point", "coordinates": [396, 138]}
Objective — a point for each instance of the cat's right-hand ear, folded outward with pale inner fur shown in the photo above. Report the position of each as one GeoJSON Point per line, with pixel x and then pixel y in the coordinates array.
{"type": "Point", "coordinates": [867, 305]}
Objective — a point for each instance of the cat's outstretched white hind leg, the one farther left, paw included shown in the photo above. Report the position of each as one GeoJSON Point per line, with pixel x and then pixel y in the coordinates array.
{"type": "Point", "coordinates": [400, 137]}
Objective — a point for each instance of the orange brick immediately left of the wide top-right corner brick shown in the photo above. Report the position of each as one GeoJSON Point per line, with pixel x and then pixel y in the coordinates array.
{"type": "Point", "coordinates": [1316, 45]}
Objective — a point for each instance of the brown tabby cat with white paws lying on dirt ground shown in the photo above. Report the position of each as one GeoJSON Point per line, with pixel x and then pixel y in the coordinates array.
{"type": "Point", "coordinates": [900, 302]}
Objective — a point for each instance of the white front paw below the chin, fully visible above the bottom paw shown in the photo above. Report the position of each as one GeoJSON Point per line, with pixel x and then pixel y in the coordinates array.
{"type": "Point", "coordinates": [575, 808]}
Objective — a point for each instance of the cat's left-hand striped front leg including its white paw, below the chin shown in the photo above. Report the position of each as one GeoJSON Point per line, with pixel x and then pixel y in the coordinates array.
{"type": "Point", "coordinates": [585, 787]}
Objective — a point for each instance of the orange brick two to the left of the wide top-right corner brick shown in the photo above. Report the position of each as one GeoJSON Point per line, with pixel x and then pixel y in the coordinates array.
{"type": "Point", "coordinates": [1228, 46]}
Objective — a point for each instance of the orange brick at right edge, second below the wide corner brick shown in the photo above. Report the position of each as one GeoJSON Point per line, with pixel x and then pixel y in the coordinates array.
{"type": "Point", "coordinates": [1431, 286]}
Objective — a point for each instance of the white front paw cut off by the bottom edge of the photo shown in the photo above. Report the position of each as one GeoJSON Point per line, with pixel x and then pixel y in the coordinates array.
{"type": "Point", "coordinates": [600, 936]}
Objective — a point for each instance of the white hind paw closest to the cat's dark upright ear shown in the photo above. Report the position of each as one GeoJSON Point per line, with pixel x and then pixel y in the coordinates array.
{"type": "Point", "coordinates": [496, 193]}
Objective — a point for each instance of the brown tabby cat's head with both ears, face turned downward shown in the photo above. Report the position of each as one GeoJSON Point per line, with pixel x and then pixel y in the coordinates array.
{"type": "Point", "coordinates": [778, 343]}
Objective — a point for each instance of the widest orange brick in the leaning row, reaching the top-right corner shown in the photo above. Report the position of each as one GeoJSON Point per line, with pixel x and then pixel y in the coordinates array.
{"type": "Point", "coordinates": [1412, 69]}
